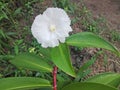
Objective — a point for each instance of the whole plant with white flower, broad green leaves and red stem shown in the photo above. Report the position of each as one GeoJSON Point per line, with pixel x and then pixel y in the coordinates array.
{"type": "Point", "coordinates": [51, 30]}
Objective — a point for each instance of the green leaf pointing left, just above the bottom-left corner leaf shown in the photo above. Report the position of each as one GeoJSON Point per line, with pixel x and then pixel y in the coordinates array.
{"type": "Point", "coordinates": [32, 62]}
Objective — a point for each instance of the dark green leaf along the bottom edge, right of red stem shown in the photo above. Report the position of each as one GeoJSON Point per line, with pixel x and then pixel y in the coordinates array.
{"type": "Point", "coordinates": [87, 86]}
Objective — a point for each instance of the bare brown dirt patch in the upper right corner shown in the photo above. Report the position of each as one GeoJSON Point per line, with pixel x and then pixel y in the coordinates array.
{"type": "Point", "coordinates": [110, 9]}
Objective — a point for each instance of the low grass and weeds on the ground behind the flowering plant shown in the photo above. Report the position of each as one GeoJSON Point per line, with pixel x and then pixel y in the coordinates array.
{"type": "Point", "coordinates": [16, 17]}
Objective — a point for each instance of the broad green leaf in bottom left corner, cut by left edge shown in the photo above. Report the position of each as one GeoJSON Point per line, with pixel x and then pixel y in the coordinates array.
{"type": "Point", "coordinates": [23, 83]}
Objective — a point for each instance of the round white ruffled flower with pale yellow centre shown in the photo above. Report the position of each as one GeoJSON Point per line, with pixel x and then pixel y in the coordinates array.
{"type": "Point", "coordinates": [51, 27]}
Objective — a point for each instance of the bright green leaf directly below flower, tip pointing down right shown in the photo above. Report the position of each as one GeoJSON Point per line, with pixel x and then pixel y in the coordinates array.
{"type": "Point", "coordinates": [61, 57]}
